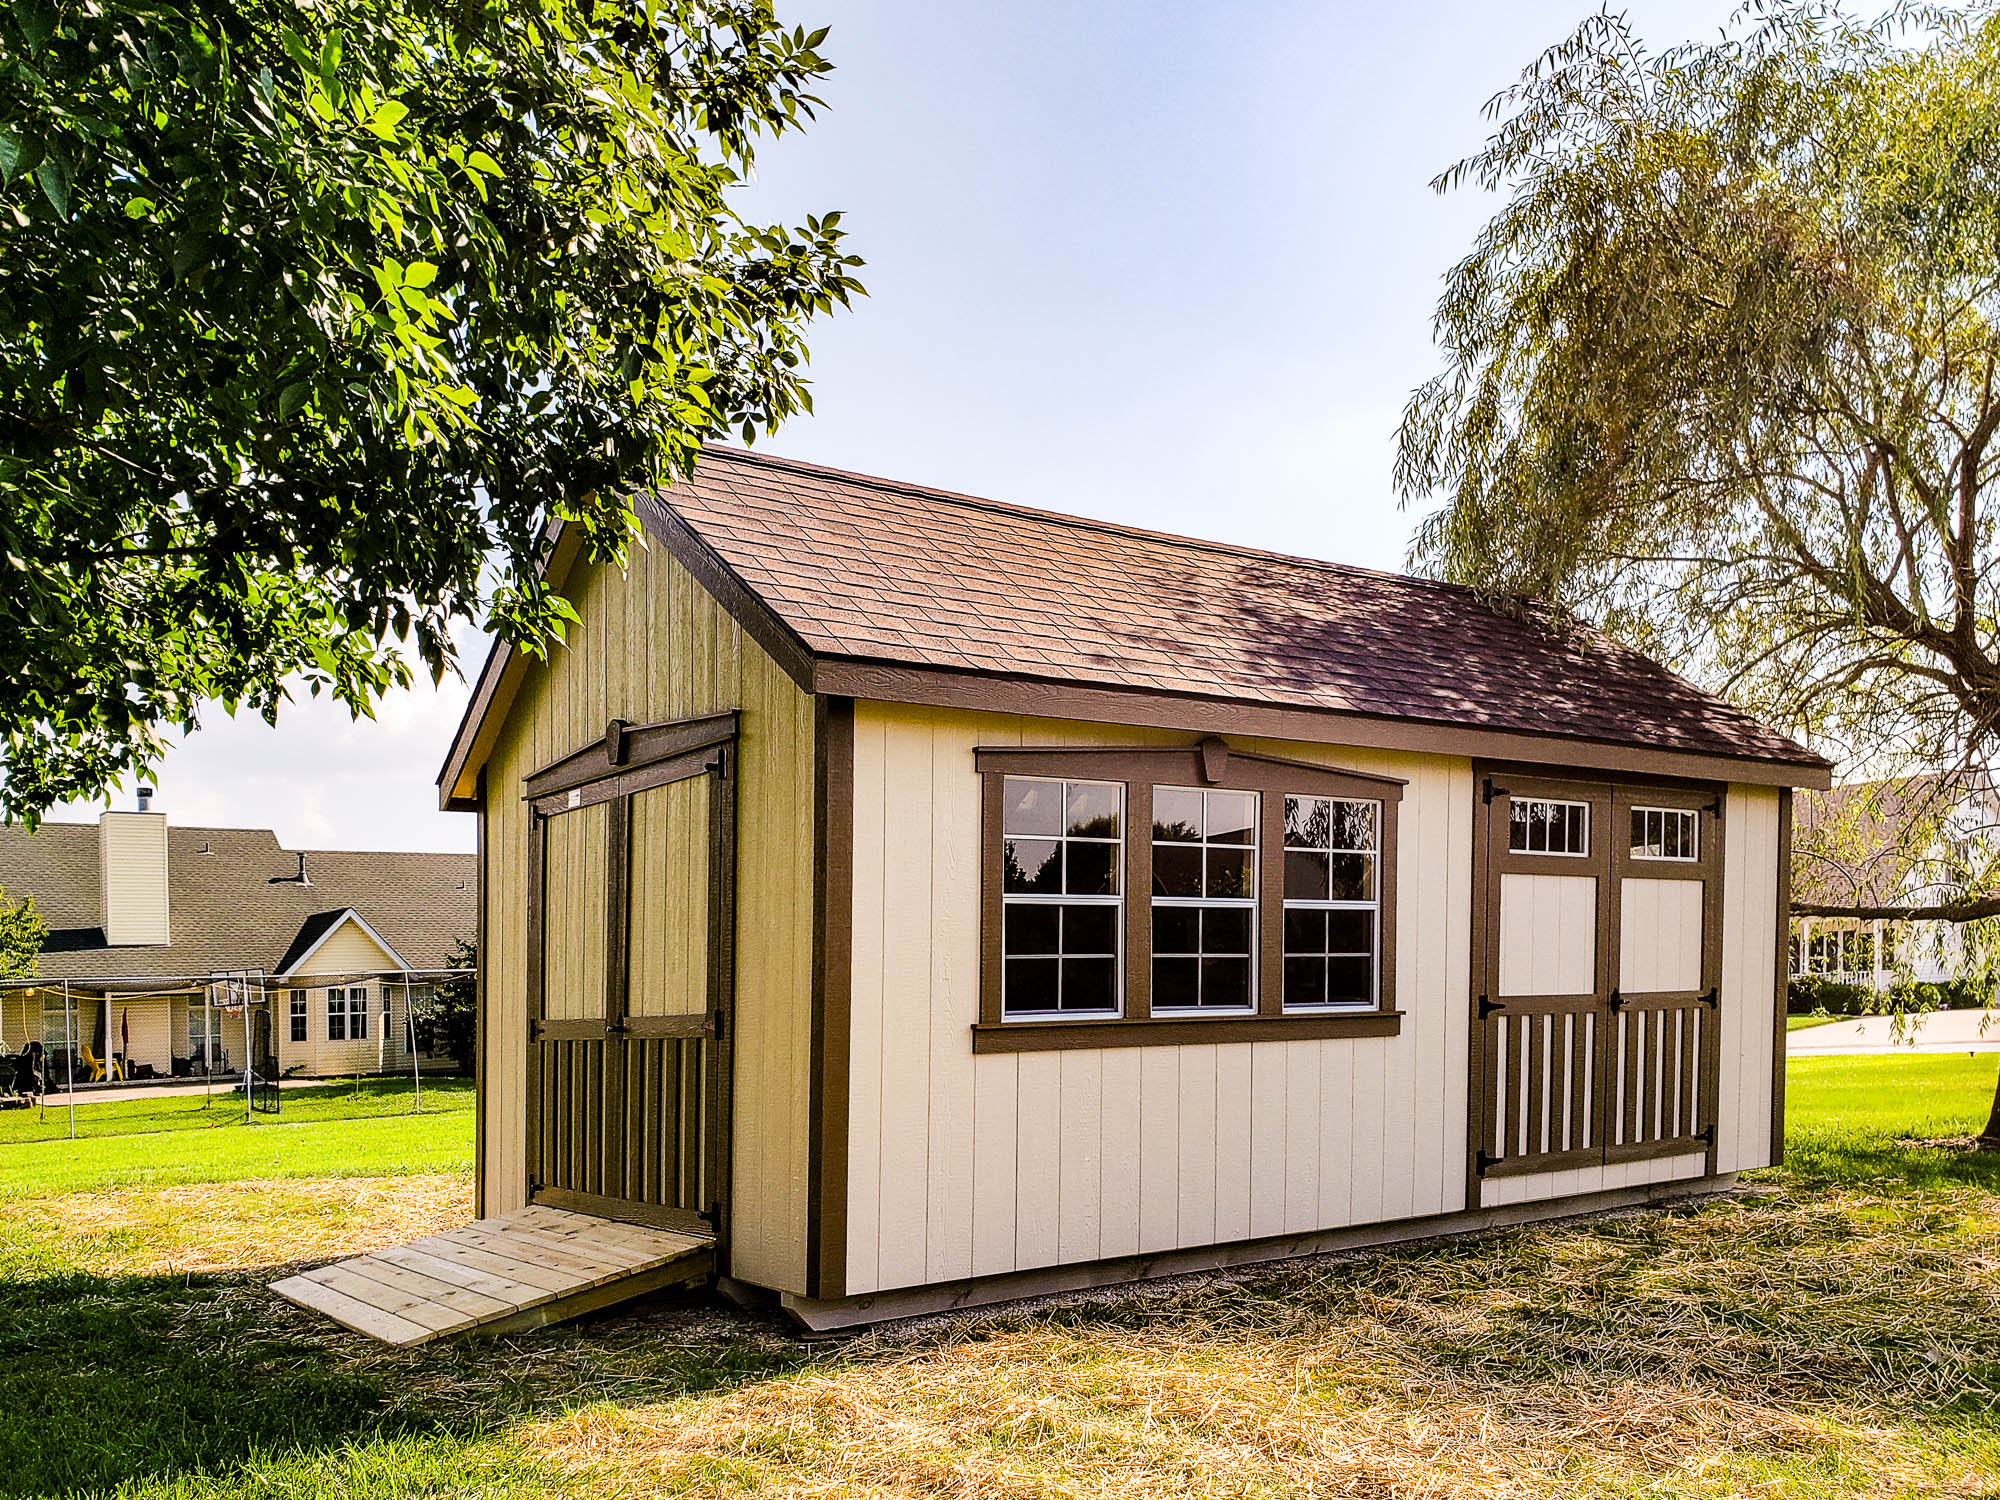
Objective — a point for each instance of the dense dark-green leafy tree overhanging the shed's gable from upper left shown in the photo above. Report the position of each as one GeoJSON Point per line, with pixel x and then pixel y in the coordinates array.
{"type": "Point", "coordinates": [311, 311]}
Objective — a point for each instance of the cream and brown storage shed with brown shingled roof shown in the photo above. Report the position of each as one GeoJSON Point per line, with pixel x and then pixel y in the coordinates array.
{"type": "Point", "coordinates": [939, 903]}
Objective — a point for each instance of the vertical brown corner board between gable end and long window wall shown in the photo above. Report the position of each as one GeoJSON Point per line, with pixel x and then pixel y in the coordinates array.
{"type": "Point", "coordinates": [833, 977]}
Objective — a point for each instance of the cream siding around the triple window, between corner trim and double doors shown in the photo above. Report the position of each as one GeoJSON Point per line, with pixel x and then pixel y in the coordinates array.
{"type": "Point", "coordinates": [977, 1165]}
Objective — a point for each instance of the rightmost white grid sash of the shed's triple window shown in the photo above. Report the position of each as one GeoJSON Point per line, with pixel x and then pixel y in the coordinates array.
{"type": "Point", "coordinates": [1331, 901]}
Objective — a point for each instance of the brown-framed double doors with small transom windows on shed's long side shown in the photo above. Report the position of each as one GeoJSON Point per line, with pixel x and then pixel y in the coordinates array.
{"type": "Point", "coordinates": [1599, 957]}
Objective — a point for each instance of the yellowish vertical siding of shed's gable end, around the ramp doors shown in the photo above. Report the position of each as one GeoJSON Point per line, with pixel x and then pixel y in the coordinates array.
{"type": "Point", "coordinates": [651, 647]}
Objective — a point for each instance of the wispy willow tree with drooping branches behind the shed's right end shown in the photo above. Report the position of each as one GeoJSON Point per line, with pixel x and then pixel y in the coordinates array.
{"type": "Point", "coordinates": [1723, 373]}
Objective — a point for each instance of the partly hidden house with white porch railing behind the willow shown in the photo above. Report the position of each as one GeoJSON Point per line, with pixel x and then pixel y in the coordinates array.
{"type": "Point", "coordinates": [1909, 841]}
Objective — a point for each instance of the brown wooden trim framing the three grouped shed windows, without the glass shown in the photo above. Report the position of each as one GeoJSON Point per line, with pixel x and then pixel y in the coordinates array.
{"type": "Point", "coordinates": [1215, 767]}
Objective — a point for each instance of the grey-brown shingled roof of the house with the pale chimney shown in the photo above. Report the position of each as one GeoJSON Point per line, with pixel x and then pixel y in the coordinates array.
{"type": "Point", "coordinates": [235, 901]}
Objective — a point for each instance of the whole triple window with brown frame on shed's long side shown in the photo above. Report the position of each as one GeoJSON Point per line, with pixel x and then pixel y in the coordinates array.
{"type": "Point", "coordinates": [1265, 899]}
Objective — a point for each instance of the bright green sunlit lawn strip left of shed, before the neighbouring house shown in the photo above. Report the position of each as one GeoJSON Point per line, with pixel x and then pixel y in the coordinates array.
{"type": "Point", "coordinates": [339, 1131]}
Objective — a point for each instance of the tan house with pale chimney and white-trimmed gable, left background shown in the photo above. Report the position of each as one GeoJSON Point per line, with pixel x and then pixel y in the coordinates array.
{"type": "Point", "coordinates": [159, 933]}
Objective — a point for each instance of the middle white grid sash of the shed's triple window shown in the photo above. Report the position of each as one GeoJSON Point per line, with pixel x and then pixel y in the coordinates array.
{"type": "Point", "coordinates": [1203, 901]}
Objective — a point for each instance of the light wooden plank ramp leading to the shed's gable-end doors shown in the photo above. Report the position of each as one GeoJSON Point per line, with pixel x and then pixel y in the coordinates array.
{"type": "Point", "coordinates": [499, 1275]}
